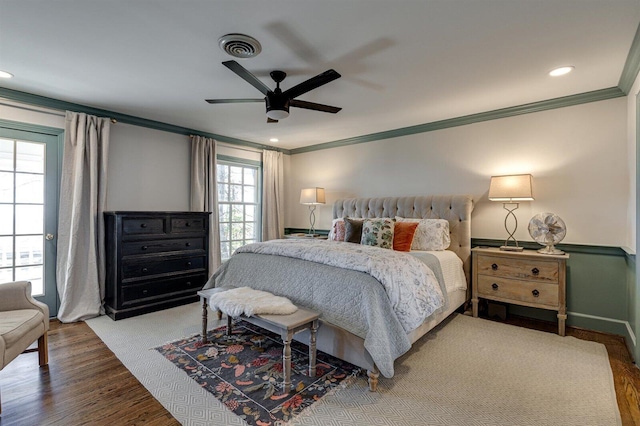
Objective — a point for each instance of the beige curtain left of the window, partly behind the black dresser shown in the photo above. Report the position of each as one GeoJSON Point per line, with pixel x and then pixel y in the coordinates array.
{"type": "Point", "coordinates": [204, 192]}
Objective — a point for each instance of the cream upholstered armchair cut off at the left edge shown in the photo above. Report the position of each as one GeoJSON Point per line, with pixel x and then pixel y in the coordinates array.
{"type": "Point", "coordinates": [23, 320]}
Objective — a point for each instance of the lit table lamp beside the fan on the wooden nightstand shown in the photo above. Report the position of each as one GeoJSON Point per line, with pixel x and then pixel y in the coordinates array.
{"type": "Point", "coordinates": [511, 189]}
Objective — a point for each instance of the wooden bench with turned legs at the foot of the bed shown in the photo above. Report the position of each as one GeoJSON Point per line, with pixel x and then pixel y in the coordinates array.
{"type": "Point", "coordinates": [284, 325]}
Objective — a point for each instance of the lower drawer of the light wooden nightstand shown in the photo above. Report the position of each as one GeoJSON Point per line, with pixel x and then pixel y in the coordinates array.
{"type": "Point", "coordinates": [518, 291]}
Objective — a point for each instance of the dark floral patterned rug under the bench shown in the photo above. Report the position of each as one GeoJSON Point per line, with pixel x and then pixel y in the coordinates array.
{"type": "Point", "coordinates": [244, 371]}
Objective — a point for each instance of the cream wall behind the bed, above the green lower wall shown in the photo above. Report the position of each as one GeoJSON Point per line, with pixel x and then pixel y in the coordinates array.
{"type": "Point", "coordinates": [577, 155]}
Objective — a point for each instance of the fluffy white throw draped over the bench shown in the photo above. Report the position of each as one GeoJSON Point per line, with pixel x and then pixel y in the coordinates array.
{"type": "Point", "coordinates": [248, 302]}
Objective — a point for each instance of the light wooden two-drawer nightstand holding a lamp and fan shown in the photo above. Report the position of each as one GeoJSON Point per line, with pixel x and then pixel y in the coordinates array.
{"type": "Point", "coordinates": [525, 278]}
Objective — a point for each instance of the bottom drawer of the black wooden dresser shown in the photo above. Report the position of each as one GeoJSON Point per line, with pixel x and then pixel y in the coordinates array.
{"type": "Point", "coordinates": [139, 293]}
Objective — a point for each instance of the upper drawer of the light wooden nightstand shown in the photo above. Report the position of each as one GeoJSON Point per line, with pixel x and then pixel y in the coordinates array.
{"type": "Point", "coordinates": [522, 269]}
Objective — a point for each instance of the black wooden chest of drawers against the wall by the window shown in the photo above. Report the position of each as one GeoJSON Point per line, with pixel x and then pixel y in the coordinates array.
{"type": "Point", "coordinates": [154, 260]}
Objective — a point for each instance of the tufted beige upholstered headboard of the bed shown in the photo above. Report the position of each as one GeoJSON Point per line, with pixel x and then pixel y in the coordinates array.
{"type": "Point", "coordinates": [455, 208]}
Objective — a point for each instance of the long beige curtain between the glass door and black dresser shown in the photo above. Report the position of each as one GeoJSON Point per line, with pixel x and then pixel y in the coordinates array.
{"type": "Point", "coordinates": [80, 271]}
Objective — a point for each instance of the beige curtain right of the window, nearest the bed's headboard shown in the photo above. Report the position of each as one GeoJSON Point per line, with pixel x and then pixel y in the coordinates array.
{"type": "Point", "coordinates": [272, 195]}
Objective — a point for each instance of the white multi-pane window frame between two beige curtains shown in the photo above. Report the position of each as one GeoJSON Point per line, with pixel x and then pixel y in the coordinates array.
{"type": "Point", "coordinates": [257, 166]}
